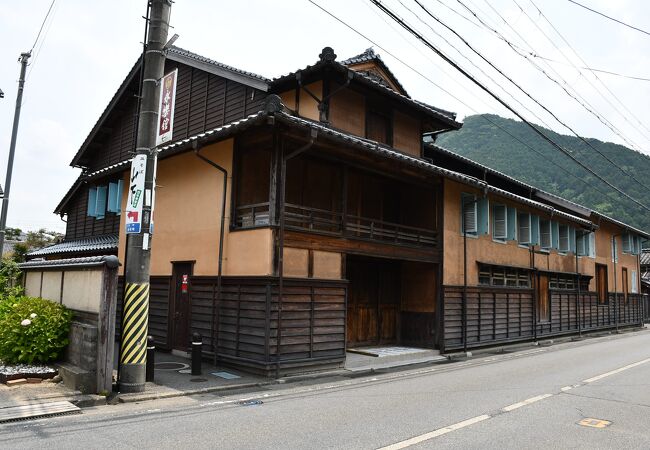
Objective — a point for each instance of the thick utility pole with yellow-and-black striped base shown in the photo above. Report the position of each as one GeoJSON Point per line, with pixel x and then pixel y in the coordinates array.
{"type": "Point", "coordinates": [136, 294]}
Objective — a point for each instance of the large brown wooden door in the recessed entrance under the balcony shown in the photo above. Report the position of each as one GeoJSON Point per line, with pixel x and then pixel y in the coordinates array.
{"type": "Point", "coordinates": [373, 301]}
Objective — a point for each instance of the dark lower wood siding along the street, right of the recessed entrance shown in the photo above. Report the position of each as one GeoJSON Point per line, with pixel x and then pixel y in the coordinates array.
{"type": "Point", "coordinates": [501, 315]}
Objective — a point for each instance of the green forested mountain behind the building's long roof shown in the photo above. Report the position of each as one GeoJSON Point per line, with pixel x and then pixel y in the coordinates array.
{"type": "Point", "coordinates": [495, 142]}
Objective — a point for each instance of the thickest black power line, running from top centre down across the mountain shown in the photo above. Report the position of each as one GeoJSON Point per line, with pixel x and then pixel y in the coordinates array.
{"type": "Point", "coordinates": [392, 15]}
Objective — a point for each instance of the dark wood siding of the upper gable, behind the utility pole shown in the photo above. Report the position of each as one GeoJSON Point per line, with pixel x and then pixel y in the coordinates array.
{"type": "Point", "coordinates": [203, 101]}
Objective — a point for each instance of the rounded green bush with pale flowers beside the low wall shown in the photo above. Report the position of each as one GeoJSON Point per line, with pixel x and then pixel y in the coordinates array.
{"type": "Point", "coordinates": [32, 330]}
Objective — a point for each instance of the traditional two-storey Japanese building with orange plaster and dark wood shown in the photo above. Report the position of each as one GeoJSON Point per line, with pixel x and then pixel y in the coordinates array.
{"type": "Point", "coordinates": [313, 212]}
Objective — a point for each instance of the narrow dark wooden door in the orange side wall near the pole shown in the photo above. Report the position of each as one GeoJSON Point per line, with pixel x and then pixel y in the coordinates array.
{"type": "Point", "coordinates": [180, 312]}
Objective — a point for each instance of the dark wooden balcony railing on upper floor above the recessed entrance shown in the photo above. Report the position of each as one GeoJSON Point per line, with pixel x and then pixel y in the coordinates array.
{"type": "Point", "coordinates": [335, 223]}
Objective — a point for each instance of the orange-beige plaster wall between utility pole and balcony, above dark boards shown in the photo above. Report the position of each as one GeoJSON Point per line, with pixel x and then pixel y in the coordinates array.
{"type": "Point", "coordinates": [187, 219]}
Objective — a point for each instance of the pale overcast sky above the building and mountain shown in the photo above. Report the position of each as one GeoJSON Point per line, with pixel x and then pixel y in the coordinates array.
{"type": "Point", "coordinates": [87, 48]}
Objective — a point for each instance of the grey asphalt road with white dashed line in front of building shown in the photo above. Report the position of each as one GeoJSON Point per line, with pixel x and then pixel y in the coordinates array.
{"type": "Point", "coordinates": [529, 399]}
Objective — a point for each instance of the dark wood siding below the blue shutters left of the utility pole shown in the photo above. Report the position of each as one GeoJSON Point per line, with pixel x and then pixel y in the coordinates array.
{"type": "Point", "coordinates": [80, 225]}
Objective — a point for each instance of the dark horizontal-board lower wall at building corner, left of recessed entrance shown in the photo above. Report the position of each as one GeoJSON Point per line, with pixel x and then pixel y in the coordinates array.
{"type": "Point", "coordinates": [312, 320]}
